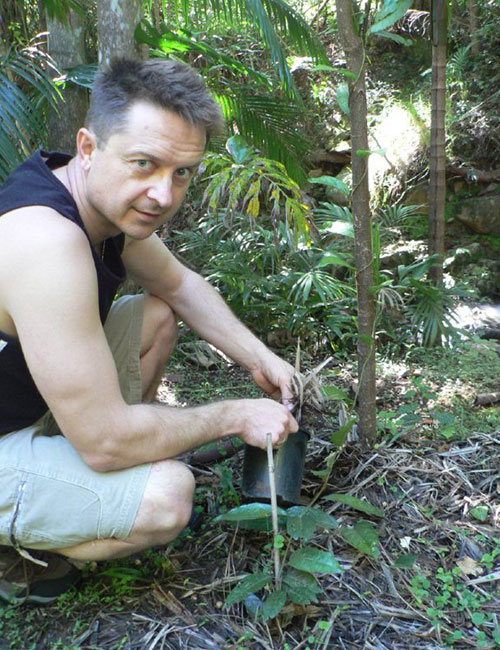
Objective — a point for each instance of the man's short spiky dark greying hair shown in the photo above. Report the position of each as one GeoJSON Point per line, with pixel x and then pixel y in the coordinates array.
{"type": "Point", "coordinates": [168, 84]}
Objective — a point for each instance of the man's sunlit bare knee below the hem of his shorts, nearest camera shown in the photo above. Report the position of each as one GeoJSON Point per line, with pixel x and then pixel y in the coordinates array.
{"type": "Point", "coordinates": [167, 502]}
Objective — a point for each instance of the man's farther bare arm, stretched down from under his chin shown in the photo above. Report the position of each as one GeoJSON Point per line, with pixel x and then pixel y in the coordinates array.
{"type": "Point", "coordinates": [204, 311]}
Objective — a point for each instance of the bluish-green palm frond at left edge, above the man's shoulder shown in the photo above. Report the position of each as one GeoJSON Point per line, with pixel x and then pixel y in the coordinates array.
{"type": "Point", "coordinates": [26, 91]}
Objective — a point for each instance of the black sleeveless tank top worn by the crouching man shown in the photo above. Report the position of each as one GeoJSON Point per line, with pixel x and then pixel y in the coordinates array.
{"type": "Point", "coordinates": [32, 183]}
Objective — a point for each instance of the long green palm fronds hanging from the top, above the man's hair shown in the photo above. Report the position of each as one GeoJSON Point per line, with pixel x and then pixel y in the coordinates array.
{"type": "Point", "coordinates": [265, 108]}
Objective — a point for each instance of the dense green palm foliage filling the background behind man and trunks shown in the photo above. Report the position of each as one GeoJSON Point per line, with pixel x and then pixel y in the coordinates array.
{"type": "Point", "coordinates": [282, 87]}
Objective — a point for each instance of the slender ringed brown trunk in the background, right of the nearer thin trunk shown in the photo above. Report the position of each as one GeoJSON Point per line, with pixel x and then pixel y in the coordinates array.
{"type": "Point", "coordinates": [437, 165]}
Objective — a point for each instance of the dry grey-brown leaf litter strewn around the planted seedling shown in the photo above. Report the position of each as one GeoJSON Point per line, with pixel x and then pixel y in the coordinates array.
{"type": "Point", "coordinates": [427, 490]}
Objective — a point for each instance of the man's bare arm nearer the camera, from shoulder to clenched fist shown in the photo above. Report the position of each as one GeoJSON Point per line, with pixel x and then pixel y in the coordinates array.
{"type": "Point", "coordinates": [49, 289]}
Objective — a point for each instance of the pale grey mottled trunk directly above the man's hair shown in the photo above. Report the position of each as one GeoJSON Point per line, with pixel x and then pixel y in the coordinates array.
{"type": "Point", "coordinates": [116, 23]}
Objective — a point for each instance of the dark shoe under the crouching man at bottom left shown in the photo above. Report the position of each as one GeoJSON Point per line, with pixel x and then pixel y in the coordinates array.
{"type": "Point", "coordinates": [23, 581]}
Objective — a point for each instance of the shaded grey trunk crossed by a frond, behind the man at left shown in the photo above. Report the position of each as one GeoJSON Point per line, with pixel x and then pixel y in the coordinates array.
{"type": "Point", "coordinates": [67, 48]}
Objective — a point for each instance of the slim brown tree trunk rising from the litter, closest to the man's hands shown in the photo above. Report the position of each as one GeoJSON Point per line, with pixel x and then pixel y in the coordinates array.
{"type": "Point", "coordinates": [355, 57]}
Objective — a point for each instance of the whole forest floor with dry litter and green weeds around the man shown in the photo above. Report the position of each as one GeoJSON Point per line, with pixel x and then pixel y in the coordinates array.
{"type": "Point", "coordinates": [430, 581]}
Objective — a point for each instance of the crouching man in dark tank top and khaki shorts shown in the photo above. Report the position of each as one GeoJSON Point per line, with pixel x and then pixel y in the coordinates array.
{"type": "Point", "coordinates": [87, 464]}
